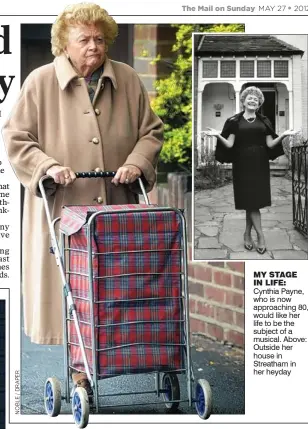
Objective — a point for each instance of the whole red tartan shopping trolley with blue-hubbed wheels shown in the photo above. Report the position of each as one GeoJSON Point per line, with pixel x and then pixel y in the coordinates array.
{"type": "Point", "coordinates": [125, 307]}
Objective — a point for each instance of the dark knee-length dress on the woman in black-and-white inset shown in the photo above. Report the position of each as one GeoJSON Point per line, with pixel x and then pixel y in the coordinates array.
{"type": "Point", "coordinates": [251, 173]}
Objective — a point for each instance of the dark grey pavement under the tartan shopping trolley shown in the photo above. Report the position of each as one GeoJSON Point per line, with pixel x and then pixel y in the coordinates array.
{"type": "Point", "coordinates": [222, 365]}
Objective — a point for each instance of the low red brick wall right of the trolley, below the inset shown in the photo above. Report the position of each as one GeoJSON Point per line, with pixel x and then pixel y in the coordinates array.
{"type": "Point", "coordinates": [217, 300]}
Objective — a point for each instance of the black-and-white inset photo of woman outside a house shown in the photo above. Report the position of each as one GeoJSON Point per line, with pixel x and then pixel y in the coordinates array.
{"type": "Point", "coordinates": [250, 146]}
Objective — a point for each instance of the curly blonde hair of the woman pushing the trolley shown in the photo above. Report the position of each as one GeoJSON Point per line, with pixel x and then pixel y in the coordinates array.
{"type": "Point", "coordinates": [84, 14]}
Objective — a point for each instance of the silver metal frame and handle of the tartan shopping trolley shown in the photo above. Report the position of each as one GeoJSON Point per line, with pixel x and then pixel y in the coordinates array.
{"type": "Point", "coordinates": [59, 249]}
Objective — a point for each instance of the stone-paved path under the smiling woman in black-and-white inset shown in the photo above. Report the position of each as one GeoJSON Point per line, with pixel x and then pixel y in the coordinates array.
{"type": "Point", "coordinates": [219, 228]}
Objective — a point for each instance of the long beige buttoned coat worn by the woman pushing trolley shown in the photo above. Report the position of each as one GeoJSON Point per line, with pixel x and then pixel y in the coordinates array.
{"type": "Point", "coordinates": [55, 123]}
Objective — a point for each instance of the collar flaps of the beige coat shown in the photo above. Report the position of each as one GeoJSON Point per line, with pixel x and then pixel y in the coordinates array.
{"type": "Point", "coordinates": [65, 72]}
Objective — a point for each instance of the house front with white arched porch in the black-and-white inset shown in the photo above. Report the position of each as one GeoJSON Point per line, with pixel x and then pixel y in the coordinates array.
{"type": "Point", "coordinates": [226, 64]}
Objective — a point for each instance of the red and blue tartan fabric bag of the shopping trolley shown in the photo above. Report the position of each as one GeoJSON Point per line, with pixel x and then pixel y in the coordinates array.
{"type": "Point", "coordinates": [136, 267]}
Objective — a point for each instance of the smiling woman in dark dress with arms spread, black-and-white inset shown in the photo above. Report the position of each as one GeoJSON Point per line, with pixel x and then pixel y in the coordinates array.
{"type": "Point", "coordinates": [249, 141]}
